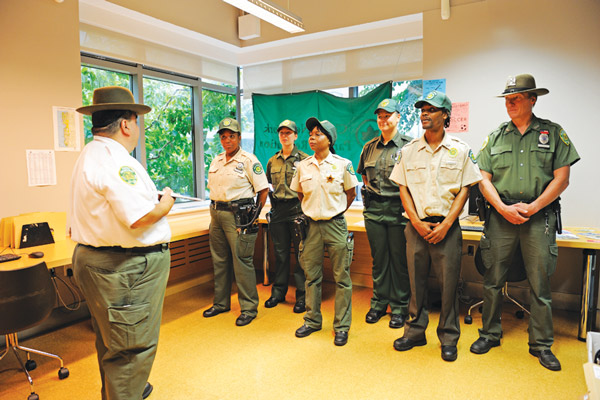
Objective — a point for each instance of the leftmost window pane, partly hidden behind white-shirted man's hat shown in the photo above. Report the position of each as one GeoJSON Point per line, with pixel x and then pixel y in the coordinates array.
{"type": "Point", "coordinates": [93, 78]}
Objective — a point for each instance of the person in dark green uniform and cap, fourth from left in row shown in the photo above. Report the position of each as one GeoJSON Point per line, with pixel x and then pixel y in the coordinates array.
{"type": "Point", "coordinates": [383, 218]}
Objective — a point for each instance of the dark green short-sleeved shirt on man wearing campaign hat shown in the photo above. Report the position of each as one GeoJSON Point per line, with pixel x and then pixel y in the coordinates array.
{"type": "Point", "coordinates": [523, 165]}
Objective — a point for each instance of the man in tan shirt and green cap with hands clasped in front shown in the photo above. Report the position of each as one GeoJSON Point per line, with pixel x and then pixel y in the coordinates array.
{"type": "Point", "coordinates": [434, 173]}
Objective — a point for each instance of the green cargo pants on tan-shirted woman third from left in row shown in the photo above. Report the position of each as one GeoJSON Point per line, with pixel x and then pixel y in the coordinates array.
{"type": "Point", "coordinates": [332, 235]}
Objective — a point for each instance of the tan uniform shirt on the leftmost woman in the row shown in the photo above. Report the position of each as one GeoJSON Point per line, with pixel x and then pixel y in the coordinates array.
{"type": "Point", "coordinates": [239, 178]}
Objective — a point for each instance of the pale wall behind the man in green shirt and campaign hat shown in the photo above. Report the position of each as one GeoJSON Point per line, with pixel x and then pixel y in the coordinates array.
{"type": "Point", "coordinates": [559, 43]}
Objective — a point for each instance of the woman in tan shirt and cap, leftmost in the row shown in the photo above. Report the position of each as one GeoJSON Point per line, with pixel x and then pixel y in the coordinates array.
{"type": "Point", "coordinates": [233, 178]}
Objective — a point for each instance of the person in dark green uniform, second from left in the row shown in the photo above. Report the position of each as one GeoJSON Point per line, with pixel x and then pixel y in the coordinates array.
{"type": "Point", "coordinates": [285, 207]}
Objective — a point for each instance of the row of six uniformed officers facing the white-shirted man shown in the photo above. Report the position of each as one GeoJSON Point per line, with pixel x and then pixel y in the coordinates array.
{"type": "Point", "coordinates": [414, 191]}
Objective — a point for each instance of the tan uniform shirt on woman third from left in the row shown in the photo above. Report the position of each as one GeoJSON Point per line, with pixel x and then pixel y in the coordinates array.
{"type": "Point", "coordinates": [324, 185]}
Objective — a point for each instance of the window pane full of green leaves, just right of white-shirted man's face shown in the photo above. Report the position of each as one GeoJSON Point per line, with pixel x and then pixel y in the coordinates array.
{"type": "Point", "coordinates": [168, 132]}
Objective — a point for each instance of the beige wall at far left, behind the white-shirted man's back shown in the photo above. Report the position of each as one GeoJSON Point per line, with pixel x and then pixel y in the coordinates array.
{"type": "Point", "coordinates": [40, 68]}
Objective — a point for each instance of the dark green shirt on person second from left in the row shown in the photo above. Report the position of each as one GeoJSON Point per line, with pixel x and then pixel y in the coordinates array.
{"type": "Point", "coordinates": [280, 173]}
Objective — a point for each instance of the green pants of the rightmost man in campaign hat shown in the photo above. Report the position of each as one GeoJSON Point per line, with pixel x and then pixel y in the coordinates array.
{"type": "Point", "coordinates": [540, 251]}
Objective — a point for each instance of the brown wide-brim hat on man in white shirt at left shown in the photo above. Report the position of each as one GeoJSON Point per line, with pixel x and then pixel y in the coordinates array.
{"type": "Point", "coordinates": [114, 98]}
